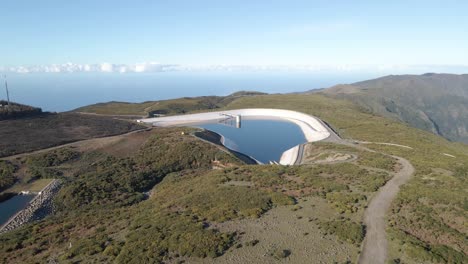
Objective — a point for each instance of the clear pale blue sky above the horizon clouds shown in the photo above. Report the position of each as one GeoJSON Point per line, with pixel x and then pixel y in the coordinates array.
{"type": "Point", "coordinates": [234, 32]}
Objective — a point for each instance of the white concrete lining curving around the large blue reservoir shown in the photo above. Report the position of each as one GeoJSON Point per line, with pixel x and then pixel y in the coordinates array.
{"type": "Point", "coordinates": [312, 127]}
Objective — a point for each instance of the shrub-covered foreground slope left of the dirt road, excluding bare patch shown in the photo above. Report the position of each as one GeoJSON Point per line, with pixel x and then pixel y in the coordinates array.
{"type": "Point", "coordinates": [104, 217]}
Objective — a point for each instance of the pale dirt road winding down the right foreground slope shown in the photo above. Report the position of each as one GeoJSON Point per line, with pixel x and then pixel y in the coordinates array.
{"type": "Point", "coordinates": [375, 244]}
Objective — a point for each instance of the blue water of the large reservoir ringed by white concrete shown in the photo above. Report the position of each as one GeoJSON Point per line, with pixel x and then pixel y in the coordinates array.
{"type": "Point", "coordinates": [264, 140]}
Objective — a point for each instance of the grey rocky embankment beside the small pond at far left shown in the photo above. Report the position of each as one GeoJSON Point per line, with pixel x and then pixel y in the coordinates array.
{"type": "Point", "coordinates": [38, 208]}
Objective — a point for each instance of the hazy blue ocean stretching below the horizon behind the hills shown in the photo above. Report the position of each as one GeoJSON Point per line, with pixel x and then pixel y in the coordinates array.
{"type": "Point", "coordinates": [58, 92]}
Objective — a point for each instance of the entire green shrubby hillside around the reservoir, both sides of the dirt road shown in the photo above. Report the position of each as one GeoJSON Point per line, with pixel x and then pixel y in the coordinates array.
{"type": "Point", "coordinates": [205, 205]}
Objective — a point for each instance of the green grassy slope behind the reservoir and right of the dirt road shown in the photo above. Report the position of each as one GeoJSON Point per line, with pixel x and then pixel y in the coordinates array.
{"type": "Point", "coordinates": [431, 211]}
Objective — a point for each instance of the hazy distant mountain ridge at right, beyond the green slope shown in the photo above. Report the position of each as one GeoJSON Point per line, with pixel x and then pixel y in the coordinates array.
{"type": "Point", "coordinates": [433, 102]}
